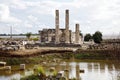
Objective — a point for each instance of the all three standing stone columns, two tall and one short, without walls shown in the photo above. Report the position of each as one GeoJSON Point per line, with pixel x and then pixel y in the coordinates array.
{"type": "Point", "coordinates": [67, 33]}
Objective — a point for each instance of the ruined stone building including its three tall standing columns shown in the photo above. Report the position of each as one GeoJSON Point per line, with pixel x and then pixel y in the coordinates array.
{"type": "Point", "coordinates": [58, 35]}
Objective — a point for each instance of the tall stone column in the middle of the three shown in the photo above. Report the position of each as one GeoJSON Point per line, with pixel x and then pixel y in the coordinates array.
{"type": "Point", "coordinates": [67, 36]}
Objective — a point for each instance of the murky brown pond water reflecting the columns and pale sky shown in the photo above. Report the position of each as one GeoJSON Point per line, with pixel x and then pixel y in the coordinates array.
{"type": "Point", "coordinates": [99, 70]}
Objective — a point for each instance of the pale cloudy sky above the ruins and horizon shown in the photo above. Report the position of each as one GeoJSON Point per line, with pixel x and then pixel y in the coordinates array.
{"type": "Point", "coordinates": [33, 15]}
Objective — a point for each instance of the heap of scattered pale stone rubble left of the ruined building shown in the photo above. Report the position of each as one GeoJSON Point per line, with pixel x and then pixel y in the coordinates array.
{"type": "Point", "coordinates": [15, 45]}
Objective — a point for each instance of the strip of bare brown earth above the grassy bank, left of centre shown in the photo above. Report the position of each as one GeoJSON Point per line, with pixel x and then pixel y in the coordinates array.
{"type": "Point", "coordinates": [41, 50]}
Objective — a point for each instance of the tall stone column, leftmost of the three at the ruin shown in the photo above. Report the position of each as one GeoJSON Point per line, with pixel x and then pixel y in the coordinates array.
{"type": "Point", "coordinates": [57, 27]}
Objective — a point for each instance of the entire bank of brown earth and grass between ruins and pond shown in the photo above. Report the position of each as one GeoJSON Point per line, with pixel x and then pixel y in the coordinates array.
{"type": "Point", "coordinates": [36, 56]}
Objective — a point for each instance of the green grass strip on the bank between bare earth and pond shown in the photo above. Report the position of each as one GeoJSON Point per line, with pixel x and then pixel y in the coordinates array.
{"type": "Point", "coordinates": [81, 55]}
